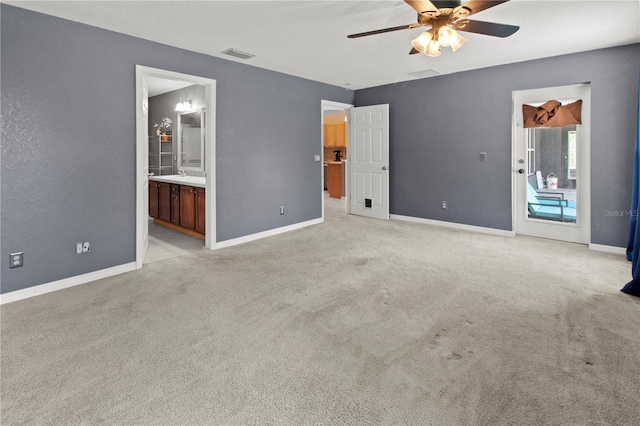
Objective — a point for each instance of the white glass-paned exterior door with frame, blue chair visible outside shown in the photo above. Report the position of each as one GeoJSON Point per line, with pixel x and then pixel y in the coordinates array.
{"type": "Point", "coordinates": [563, 152]}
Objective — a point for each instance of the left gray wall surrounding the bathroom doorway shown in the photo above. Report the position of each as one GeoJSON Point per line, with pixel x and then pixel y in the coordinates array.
{"type": "Point", "coordinates": [69, 148]}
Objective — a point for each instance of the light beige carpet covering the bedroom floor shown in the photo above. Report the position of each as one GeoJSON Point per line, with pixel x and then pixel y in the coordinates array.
{"type": "Point", "coordinates": [353, 321]}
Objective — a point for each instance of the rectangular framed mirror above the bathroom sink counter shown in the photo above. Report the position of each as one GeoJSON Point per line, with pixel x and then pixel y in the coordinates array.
{"type": "Point", "coordinates": [190, 130]}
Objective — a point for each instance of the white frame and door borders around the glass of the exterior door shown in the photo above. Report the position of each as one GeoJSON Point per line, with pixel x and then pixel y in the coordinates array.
{"type": "Point", "coordinates": [549, 229]}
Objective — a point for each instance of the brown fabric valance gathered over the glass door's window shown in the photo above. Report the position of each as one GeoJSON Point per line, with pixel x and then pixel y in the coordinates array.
{"type": "Point", "coordinates": [552, 114]}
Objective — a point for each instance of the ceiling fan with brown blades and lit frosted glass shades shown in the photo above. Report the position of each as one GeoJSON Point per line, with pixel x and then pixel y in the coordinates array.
{"type": "Point", "coordinates": [445, 18]}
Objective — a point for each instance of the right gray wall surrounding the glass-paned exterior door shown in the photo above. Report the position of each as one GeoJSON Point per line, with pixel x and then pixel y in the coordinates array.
{"type": "Point", "coordinates": [439, 125]}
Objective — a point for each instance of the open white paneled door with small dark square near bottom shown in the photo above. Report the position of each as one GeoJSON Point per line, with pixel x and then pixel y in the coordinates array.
{"type": "Point", "coordinates": [369, 161]}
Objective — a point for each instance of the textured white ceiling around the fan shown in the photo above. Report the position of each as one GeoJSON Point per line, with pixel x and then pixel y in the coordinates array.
{"type": "Point", "coordinates": [309, 38]}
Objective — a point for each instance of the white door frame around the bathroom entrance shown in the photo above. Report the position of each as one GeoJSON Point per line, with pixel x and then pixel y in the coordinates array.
{"type": "Point", "coordinates": [142, 157]}
